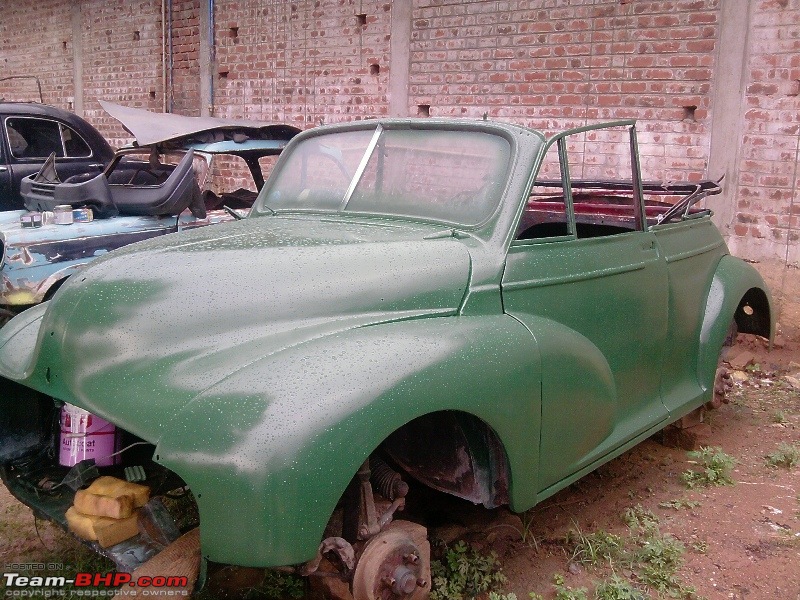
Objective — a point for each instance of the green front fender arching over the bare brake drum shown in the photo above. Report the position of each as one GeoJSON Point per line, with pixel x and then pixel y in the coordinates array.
{"type": "Point", "coordinates": [269, 451]}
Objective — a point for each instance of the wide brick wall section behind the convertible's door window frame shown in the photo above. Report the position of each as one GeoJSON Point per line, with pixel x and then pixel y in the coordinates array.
{"type": "Point", "coordinates": [567, 64]}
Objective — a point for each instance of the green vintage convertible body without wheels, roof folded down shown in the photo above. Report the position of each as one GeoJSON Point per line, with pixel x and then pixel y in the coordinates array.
{"type": "Point", "coordinates": [361, 308]}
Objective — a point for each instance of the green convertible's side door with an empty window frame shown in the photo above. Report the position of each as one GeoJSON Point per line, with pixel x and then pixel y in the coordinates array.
{"type": "Point", "coordinates": [591, 285]}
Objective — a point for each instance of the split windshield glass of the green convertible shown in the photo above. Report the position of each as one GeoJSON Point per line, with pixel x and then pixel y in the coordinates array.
{"type": "Point", "coordinates": [434, 174]}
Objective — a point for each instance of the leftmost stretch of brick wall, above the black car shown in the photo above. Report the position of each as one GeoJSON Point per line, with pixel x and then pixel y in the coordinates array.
{"type": "Point", "coordinates": [121, 49]}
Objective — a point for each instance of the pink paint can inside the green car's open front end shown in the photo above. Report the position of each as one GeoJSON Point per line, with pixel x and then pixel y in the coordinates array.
{"type": "Point", "coordinates": [84, 435]}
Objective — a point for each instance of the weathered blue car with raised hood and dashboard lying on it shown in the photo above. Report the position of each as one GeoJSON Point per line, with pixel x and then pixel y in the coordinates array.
{"type": "Point", "coordinates": [181, 173]}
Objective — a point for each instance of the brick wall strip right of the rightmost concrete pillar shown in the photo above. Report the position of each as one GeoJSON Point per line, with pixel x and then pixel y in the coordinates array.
{"type": "Point", "coordinates": [767, 217]}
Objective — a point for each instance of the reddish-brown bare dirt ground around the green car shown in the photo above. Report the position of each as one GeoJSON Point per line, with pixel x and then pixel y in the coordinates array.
{"type": "Point", "coordinates": [742, 541]}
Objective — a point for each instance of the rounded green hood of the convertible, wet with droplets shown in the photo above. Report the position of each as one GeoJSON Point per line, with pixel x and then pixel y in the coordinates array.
{"type": "Point", "coordinates": [136, 336]}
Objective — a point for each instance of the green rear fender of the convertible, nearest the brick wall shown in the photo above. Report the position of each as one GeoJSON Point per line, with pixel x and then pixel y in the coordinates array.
{"type": "Point", "coordinates": [737, 293]}
